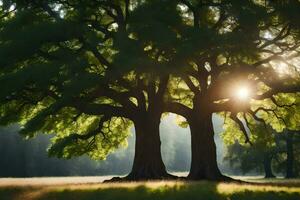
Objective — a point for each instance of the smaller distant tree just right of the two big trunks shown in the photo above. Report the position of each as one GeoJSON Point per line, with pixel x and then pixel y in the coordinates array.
{"type": "Point", "coordinates": [259, 157]}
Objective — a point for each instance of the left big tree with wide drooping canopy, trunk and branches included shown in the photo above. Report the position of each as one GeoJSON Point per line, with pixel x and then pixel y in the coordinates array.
{"type": "Point", "coordinates": [82, 70]}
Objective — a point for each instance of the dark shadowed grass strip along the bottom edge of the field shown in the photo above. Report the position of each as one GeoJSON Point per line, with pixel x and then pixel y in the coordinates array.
{"type": "Point", "coordinates": [183, 191]}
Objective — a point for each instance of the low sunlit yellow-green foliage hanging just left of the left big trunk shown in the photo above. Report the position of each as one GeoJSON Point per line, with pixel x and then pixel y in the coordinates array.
{"type": "Point", "coordinates": [112, 136]}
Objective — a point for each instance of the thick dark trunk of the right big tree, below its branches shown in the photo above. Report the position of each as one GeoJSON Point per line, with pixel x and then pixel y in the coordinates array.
{"type": "Point", "coordinates": [204, 158]}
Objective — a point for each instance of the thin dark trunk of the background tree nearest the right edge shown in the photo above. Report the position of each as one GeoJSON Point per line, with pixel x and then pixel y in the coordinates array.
{"type": "Point", "coordinates": [290, 156]}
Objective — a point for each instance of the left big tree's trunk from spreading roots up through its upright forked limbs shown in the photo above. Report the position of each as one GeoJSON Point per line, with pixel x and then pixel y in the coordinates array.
{"type": "Point", "coordinates": [148, 163]}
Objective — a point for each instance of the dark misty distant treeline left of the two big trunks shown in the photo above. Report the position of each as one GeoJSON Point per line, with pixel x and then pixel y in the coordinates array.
{"type": "Point", "coordinates": [28, 158]}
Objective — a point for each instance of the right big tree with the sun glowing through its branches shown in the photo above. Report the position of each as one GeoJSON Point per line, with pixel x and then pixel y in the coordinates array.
{"type": "Point", "coordinates": [229, 45]}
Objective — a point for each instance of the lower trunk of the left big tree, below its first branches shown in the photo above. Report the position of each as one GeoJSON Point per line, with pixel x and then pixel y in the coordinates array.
{"type": "Point", "coordinates": [148, 163]}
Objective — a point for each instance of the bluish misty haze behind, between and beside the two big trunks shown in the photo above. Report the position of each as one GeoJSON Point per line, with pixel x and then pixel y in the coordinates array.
{"type": "Point", "coordinates": [28, 158]}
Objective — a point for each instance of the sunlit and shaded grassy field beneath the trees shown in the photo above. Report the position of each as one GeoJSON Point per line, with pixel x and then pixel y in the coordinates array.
{"type": "Point", "coordinates": [275, 189]}
